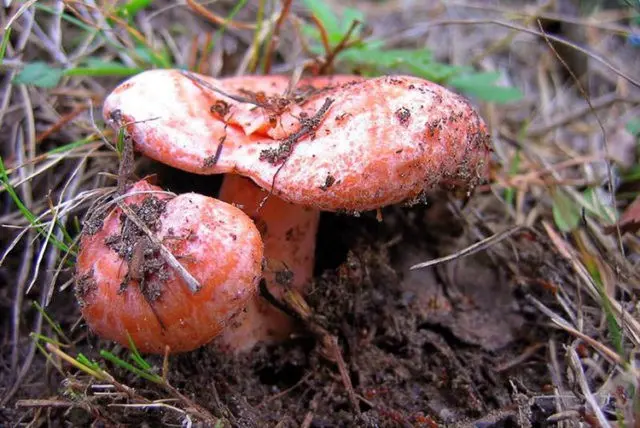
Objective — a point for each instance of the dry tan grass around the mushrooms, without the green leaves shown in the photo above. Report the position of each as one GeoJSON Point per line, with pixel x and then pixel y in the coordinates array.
{"type": "Point", "coordinates": [561, 154]}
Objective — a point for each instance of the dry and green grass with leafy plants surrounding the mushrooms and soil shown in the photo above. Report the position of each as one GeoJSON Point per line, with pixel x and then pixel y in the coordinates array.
{"type": "Point", "coordinates": [545, 178]}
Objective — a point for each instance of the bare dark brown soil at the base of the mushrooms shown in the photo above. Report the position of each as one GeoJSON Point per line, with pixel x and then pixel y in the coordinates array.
{"type": "Point", "coordinates": [423, 348]}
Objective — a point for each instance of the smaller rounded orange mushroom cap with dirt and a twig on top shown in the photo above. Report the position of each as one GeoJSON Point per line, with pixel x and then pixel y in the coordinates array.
{"type": "Point", "coordinates": [125, 285]}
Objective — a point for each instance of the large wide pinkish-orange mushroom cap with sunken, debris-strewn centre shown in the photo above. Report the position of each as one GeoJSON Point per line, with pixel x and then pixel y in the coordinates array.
{"type": "Point", "coordinates": [370, 143]}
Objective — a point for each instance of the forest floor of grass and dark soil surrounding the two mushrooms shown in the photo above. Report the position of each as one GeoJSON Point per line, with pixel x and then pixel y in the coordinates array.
{"type": "Point", "coordinates": [532, 321]}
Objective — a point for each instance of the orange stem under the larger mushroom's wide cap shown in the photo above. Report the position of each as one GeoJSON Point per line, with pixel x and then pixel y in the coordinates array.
{"type": "Point", "coordinates": [289, 233]}
